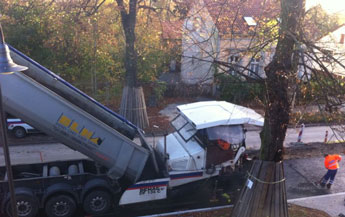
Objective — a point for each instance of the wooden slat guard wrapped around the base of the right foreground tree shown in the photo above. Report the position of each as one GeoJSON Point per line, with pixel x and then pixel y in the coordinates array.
{"type": "Point", "coordinates": [264, 192]}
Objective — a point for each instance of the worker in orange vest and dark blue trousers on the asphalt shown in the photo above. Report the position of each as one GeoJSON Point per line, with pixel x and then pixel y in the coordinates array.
{"type": "Point", "coordinates": [331, 164]}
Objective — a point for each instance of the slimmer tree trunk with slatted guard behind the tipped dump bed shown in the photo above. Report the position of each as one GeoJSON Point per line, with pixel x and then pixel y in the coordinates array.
{"type": "Point", "coordinates": [133, 105]}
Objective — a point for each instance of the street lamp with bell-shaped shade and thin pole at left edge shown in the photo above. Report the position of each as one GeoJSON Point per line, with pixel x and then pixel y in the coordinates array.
{"type": "Point", "coordinates": [7, 66]}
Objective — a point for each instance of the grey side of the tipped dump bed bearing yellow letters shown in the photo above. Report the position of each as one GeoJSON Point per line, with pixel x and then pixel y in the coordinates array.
{"type": "Point", "coordinates": [55, 116]}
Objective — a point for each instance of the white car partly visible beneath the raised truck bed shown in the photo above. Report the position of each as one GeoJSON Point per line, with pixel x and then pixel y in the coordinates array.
{"type": "Point", "coordinates": [19, 128]}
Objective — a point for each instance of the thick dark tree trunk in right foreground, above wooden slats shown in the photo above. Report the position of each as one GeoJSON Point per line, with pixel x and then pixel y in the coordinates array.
{"type": "Point", "coordinates": [281, 72]}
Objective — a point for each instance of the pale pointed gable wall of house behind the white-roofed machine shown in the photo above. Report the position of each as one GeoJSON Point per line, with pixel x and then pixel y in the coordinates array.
{"type": "Point", "coordinates": [199, 45]}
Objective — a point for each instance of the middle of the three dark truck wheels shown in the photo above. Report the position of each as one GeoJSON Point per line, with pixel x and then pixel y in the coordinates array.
{"type": "Point", "coordinates": [60, 206]}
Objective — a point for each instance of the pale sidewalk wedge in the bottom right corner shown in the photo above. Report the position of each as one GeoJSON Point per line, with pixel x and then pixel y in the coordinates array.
{"type": "Point", "coordinates": [333, 204]}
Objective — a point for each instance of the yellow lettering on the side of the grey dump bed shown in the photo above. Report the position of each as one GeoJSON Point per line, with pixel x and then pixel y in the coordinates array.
{"type": "Point", "coordinates": [84, 132]}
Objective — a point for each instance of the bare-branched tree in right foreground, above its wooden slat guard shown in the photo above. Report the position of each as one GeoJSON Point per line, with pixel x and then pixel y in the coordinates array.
{"type": "Point", "coordinates": [296, 61]}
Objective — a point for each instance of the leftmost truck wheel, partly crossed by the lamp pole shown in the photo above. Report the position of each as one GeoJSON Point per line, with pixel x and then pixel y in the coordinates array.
{"type": "Point", "coordinates": [27, 206]}
